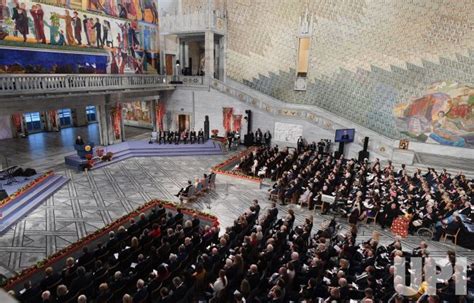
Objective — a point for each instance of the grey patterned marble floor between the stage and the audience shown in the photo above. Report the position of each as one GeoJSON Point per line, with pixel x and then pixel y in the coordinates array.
{"type": "Point", "coordinates": [94, 199]}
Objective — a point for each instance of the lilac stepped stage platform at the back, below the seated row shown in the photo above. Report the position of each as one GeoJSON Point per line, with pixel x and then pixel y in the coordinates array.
{"type": "Point", "coordinates": [141, 148]}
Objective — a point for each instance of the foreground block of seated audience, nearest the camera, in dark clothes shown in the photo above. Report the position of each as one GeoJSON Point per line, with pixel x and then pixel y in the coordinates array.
{"type": "Point", "coordinates": [261, 258]}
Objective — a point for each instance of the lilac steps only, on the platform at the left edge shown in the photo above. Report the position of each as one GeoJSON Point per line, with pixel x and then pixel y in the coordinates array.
{"type": "Point", "coordinates": [21, 206]}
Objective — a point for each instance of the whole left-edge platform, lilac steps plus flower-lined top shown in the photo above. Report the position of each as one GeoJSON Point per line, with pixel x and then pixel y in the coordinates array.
{"type": "Point", "coordinates": [25, 194]}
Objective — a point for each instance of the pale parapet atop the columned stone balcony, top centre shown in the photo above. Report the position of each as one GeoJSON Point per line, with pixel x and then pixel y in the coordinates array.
{"type": "Point", "coordinates": [192, 22]}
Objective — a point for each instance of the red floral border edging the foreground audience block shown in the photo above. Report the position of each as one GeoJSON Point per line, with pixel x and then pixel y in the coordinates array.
{"type": "Point", "coordinates": [63, 253]}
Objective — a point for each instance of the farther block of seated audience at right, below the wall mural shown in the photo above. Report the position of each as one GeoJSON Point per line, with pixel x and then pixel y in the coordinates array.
{"type": "Point", "coordinates": [364, 191]}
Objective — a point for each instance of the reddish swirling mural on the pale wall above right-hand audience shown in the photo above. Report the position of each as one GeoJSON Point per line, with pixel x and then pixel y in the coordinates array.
{"type": "Point", "coordinates": [444, 115]}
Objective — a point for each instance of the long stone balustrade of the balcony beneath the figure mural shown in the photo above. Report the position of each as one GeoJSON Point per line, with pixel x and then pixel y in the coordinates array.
{"type": "Point", "coordinates": [47, 83]}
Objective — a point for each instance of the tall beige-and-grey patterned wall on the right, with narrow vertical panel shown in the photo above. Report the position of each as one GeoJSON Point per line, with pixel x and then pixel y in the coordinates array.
{"type": "Point", "coordinates": [369, 61]}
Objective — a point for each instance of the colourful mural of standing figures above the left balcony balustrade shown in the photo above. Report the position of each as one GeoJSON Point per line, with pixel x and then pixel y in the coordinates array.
{"type": "Point", "coordinates": [124, 32]}
